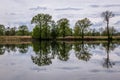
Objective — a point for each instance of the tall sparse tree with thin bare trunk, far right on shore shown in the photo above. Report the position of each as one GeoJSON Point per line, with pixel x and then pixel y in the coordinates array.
{"type": "Point", "coordinates": [106, 16]}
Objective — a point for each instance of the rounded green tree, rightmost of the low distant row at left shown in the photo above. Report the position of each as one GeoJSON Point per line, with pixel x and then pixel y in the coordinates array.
{"type": "Point", "coordinates": [23, 30]}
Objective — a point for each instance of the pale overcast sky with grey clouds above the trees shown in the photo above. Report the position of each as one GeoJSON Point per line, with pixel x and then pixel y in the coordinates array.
{"type": "Point", "coordinates": [19, 12]}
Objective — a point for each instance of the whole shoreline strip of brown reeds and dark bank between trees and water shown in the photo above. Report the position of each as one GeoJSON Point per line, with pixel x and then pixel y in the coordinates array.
{"type": "Point", "coordinates": [67, 38]}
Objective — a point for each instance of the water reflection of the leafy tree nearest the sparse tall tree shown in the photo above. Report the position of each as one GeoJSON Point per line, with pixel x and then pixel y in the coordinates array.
{"type": "Point", "coordinates": [81, 52]}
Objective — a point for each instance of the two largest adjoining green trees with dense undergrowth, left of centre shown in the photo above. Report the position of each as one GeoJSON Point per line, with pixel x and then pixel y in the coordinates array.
{"type": "Point", "coordinates": [45, 27]}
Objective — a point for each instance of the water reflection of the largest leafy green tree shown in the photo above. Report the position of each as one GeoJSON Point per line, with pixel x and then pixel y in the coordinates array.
{"type": "Point", "coordinates": [42, 50]}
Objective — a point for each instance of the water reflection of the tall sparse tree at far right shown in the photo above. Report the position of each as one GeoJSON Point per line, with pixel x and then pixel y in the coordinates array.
{"type": "Point", "coordinates": [108, 47]}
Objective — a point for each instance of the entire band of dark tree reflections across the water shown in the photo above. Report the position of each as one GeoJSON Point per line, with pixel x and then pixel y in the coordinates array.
{"type": "Point", "coordinates": [46, 51]}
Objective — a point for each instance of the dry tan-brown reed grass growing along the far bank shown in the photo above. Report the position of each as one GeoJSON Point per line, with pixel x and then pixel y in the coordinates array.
{"type": "Point", "coordinates": [15, 39]}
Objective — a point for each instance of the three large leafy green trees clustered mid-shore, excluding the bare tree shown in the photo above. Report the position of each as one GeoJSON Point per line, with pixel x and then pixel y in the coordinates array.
{"type": "Point", "coordinates": [45, 27]}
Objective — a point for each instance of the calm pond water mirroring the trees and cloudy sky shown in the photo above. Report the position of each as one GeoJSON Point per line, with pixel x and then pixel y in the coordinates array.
{"type": "Point", "coordinates": [49, 60]}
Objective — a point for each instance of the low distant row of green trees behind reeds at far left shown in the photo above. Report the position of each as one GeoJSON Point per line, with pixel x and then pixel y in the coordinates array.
{"type": "Point", "coordinates": [8, 31]}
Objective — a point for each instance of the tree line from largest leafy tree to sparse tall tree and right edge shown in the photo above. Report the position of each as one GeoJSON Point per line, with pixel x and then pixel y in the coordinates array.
{"type": "Point", "coordinates": [45, 27]}
